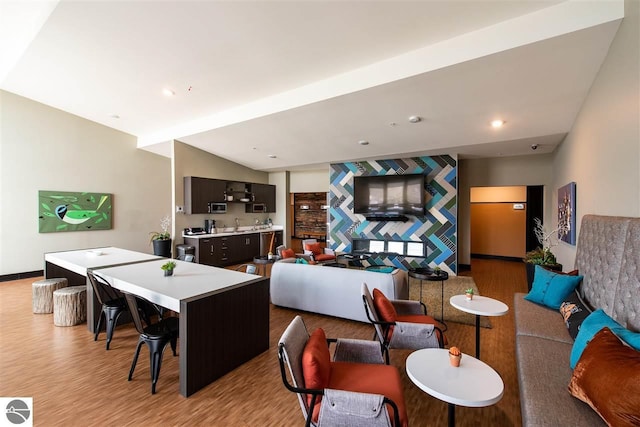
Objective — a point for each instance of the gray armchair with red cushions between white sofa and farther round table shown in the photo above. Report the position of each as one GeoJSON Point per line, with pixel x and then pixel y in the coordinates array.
{"type": "Point", "coordinates": [401, 323]}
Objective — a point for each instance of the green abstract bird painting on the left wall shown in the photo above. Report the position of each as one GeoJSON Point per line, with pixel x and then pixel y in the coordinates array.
{"type": "Point", "coordinates": [65, 211]}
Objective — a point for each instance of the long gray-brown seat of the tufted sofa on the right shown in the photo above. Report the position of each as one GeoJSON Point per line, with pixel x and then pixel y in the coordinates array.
{"type": "Point", "coordinates": [543, 379]}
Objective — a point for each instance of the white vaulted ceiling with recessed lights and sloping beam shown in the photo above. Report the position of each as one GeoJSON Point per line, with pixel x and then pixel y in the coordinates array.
{"type": "Point", "coordinates": [284, 85]}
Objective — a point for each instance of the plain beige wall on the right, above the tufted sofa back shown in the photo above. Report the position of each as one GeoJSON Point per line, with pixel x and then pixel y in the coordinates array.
{"type": "Point", "coordinates": [602, 152]}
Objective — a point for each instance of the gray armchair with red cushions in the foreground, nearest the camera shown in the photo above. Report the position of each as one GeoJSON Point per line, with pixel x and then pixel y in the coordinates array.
{"type": "Point", "coordinates": [356, 388]}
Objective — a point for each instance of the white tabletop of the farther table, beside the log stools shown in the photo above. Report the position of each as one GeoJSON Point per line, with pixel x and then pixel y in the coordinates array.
{"type": "Point", "coordinates": [79, 261]}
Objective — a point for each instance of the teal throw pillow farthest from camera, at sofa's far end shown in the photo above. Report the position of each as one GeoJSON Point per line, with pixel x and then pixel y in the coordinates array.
{"type": "Point", "coordinates": [550, 289]}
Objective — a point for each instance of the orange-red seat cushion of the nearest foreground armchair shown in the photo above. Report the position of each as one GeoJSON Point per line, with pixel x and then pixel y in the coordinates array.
{"type": "Point", "coordinates": [368, 378]}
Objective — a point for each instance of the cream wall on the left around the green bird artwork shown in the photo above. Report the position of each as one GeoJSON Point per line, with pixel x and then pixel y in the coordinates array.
{"type": "Point", "coordinates": [42, 148]}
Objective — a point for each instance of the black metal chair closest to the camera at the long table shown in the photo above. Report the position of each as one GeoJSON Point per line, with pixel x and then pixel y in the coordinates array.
{"type": "Point", "coordinates": [155, 335]}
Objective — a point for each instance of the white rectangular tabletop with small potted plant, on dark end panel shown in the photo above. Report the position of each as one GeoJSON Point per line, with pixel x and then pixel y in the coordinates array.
{"type": "Point", "coordinates": [189, 280]}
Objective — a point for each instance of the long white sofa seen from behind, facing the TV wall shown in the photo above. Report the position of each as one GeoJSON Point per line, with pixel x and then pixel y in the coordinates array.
{"type": "Point", "coordinates": [330, 290]}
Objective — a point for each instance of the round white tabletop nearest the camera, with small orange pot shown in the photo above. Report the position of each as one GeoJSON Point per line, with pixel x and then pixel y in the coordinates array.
{"type": "Point", "coordinates": [473, 383]}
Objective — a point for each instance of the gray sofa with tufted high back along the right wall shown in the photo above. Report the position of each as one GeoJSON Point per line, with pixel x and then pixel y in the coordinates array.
{"type": "Point", "coordinates": [608, 256]}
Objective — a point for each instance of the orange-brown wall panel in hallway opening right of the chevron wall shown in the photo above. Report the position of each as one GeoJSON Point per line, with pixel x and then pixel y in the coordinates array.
{"type": "Point", "coordinates": [498, 229]}
